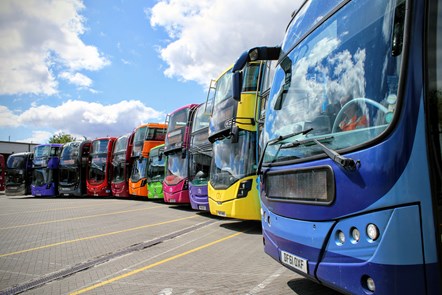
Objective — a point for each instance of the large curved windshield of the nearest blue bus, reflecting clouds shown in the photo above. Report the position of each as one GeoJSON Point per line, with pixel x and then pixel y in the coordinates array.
{"type": "Point", "coordinates": [341, 81]}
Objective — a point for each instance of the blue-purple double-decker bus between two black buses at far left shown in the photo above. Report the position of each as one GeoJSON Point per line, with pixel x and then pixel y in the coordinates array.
{"type": "Point", "coordinates": [45, 169]}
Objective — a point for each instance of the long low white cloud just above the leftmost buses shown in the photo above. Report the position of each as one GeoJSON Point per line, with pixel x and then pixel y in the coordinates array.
{"type": "Point", "coordinates": [81, 118]}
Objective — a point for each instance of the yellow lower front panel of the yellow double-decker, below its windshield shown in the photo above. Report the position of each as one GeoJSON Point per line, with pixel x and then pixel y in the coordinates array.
{"type": "Point", "coordinates": [225, 203]}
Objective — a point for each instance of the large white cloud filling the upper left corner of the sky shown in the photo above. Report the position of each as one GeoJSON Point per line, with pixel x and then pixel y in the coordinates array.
{"type": "Point", "coordinates": [38, 38]}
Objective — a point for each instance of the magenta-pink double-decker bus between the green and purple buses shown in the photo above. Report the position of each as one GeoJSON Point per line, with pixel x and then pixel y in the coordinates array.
{"type": "Point", "coordinates": [176, 183]}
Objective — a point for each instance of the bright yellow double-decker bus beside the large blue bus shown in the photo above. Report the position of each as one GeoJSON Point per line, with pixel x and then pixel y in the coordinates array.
{"type": "Point", "coordinates": [233, 131]}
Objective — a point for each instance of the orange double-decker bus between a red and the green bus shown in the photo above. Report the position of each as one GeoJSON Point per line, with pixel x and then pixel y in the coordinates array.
{"type": "Point", "coordinates": [147, 136]}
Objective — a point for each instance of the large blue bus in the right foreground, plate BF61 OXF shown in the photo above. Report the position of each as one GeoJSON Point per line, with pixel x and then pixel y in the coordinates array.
{"type": "Point", "coordinates": [350, 158]}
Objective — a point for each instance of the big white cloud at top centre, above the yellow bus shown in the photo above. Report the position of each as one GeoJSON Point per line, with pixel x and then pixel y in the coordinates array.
{"type": "Point", "coordinates": [208, 36]}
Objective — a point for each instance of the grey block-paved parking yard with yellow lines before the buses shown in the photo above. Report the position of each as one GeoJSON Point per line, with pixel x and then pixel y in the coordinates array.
{"type": "Point", "coordinates": [133, 246]}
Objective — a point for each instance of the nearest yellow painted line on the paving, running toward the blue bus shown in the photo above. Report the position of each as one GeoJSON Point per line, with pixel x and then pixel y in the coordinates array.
{"type": "Point", "coordinates": [117, 278]}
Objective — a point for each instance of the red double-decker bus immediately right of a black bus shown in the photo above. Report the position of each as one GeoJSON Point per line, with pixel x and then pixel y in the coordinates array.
{"type": "Point", "coordinates": [99, 177]}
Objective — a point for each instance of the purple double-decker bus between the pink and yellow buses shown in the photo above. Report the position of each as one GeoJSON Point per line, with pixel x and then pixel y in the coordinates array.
{"type": "Point", "coordinates": [200, 157]}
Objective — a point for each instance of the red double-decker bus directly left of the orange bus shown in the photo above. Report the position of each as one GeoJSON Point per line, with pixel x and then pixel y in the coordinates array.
{"type": "Point", "coordinates": [122, 165]}
